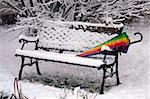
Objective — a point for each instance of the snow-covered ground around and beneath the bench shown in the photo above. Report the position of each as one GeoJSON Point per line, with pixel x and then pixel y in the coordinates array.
{"type": "Point", "coordinates": [133, 69]}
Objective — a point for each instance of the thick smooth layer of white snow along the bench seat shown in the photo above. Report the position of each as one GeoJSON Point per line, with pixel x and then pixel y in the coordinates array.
{"type": "Point", "coordinates": [60, 57]}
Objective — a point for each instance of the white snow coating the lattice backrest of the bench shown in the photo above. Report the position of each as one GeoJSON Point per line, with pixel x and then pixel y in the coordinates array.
{"type": "Point", "coordinates": [68, 36]}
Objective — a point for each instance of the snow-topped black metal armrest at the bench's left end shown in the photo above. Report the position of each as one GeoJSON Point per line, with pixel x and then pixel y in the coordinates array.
{"type": "Point", "coordinates": [24, 39]}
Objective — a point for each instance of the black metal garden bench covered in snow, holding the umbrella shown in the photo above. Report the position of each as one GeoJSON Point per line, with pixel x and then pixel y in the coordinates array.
{"type": "Point", "coordinates": [59, 41]}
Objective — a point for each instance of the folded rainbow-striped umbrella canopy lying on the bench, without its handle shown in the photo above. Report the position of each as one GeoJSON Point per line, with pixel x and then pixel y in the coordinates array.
{"type": "Point", "coordinates": [119, 43]}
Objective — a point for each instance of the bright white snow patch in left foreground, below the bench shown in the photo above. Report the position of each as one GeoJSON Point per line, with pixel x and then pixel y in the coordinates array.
{"type": "Point", "coordinates": [40, 91]}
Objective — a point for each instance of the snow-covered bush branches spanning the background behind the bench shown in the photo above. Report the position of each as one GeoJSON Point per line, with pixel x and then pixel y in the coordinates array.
{"type": "Point", "coordinates": [81, 10]}
